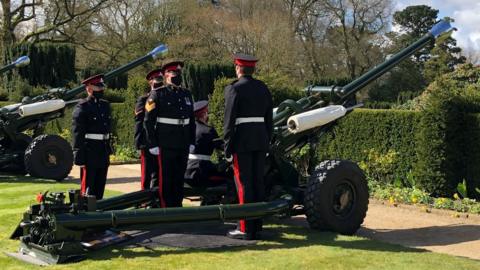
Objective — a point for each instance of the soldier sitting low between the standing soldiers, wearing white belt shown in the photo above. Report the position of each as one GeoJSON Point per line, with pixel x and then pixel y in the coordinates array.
{"type": "Point", "coordinates": [200, 169]}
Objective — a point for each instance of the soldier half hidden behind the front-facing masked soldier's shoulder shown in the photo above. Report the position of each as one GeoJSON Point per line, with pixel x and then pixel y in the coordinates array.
{"type": "Point", "coordinates": [149, 163]}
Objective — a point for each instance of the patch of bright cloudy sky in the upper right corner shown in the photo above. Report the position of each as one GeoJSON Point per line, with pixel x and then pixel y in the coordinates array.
{"type": "Point", "coordinates": [466, 14]}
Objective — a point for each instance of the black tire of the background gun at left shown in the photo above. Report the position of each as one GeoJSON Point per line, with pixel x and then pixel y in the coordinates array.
{"type": "Point", "coordinates": [50, 157]}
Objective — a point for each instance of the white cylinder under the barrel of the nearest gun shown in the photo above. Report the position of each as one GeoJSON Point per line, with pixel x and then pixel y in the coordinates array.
{"type": "Point", "coordinates": [315, 118]}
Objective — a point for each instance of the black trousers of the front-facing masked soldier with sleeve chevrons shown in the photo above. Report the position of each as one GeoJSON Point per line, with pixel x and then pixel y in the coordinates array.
{"type": "Point", "coordinates": [172, 165]}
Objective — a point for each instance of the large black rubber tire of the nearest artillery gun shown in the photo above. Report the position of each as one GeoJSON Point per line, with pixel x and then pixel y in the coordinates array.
{"type": "Point", "coordinates": [336, 198]}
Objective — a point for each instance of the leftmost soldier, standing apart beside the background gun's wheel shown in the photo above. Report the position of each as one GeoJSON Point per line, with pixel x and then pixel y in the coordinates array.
{"type": "Point", "coordinates": [91, 137]}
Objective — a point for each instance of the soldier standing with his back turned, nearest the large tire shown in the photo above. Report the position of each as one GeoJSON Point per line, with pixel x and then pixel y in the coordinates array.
{"type": "Point", "coordinates": [247, 132]}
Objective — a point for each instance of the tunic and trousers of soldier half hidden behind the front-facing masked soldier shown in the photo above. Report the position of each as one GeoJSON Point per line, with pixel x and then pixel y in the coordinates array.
{"type": "Point", "coordinates": [149, 164]}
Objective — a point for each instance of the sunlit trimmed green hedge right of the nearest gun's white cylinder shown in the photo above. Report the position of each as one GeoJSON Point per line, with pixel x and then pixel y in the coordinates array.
{"type": "Point", "coordinates": [379, 130]}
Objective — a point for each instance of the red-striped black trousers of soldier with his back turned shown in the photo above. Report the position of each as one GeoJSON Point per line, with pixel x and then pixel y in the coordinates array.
{"type": "Point", "coordinates": [248, 168]}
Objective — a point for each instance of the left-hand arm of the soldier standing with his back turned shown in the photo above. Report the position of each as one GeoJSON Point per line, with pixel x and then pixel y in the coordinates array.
{"type": "Point", "coordinates": [229, 118]}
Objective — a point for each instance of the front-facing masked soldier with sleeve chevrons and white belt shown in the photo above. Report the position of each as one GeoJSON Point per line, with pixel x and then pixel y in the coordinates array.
{"type": "Point", "coordinates": [170, 129]}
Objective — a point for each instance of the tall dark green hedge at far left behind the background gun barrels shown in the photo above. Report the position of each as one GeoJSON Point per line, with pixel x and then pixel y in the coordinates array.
{"type": "Point", "coordinates": [51, 64]}
